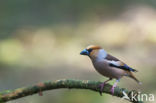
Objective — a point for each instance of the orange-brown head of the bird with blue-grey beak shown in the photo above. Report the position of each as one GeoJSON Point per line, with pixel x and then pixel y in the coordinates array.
{"type": "Point", "coordinates": [91, 50]}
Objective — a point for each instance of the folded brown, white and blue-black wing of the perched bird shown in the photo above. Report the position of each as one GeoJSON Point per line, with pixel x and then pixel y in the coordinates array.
{"type": "Point", "coordinates": [114, 62]}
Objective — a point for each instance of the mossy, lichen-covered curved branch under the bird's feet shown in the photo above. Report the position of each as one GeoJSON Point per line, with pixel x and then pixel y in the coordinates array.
{"type": "Point", "coordinates": [9, 95]}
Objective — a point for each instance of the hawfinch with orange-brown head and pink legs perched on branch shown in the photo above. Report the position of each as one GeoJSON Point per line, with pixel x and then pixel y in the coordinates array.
{"type": "Point", "coordinates": [108, 66]}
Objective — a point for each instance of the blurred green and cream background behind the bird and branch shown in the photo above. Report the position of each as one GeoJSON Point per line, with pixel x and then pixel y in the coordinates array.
{"type": "Point", "coordinates": [40, 40]}
